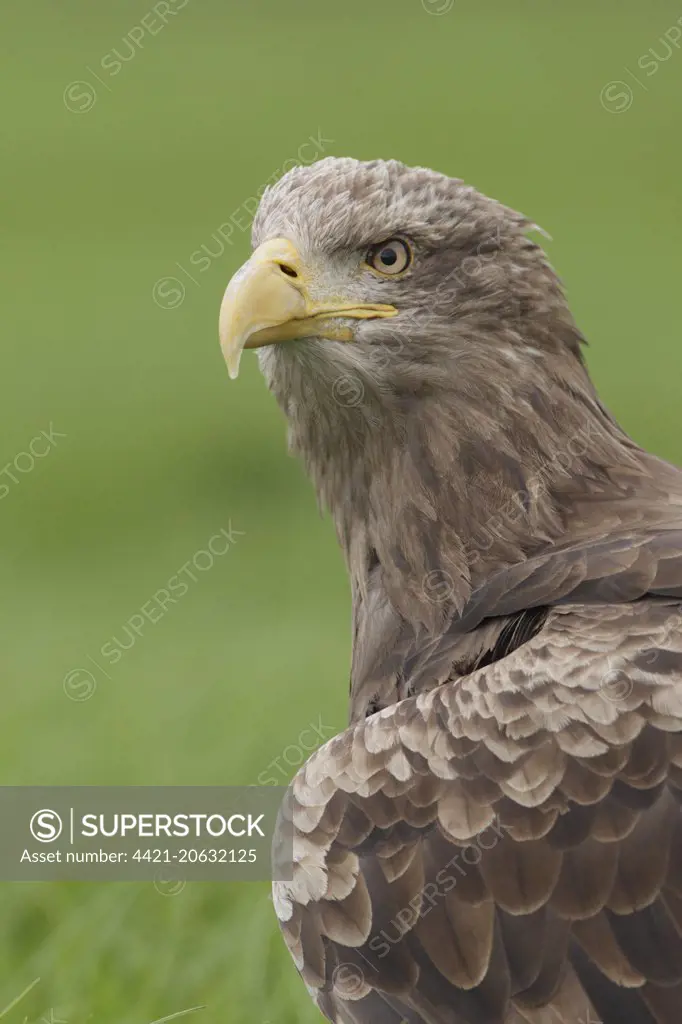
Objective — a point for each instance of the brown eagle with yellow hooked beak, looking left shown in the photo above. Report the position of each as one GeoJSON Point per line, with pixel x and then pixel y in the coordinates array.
{"type": "Point", "coordinates": [497, 836]}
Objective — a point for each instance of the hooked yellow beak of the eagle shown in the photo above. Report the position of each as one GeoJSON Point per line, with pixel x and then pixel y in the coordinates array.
{"type": "Point", "coordinates": [268, 302]}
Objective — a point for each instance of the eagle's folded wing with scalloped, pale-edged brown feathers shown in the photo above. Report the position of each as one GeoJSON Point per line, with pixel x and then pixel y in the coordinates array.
{"type": "Point", "coordinates": [505, 847]}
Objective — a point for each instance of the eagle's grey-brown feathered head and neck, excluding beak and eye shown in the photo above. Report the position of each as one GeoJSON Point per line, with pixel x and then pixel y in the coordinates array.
{"type": "Point", "coordinates": [464, 435]}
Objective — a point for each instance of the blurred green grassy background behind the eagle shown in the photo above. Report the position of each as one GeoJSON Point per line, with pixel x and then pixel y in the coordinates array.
{"type": "Point", "coordinates": [108, 187]}
